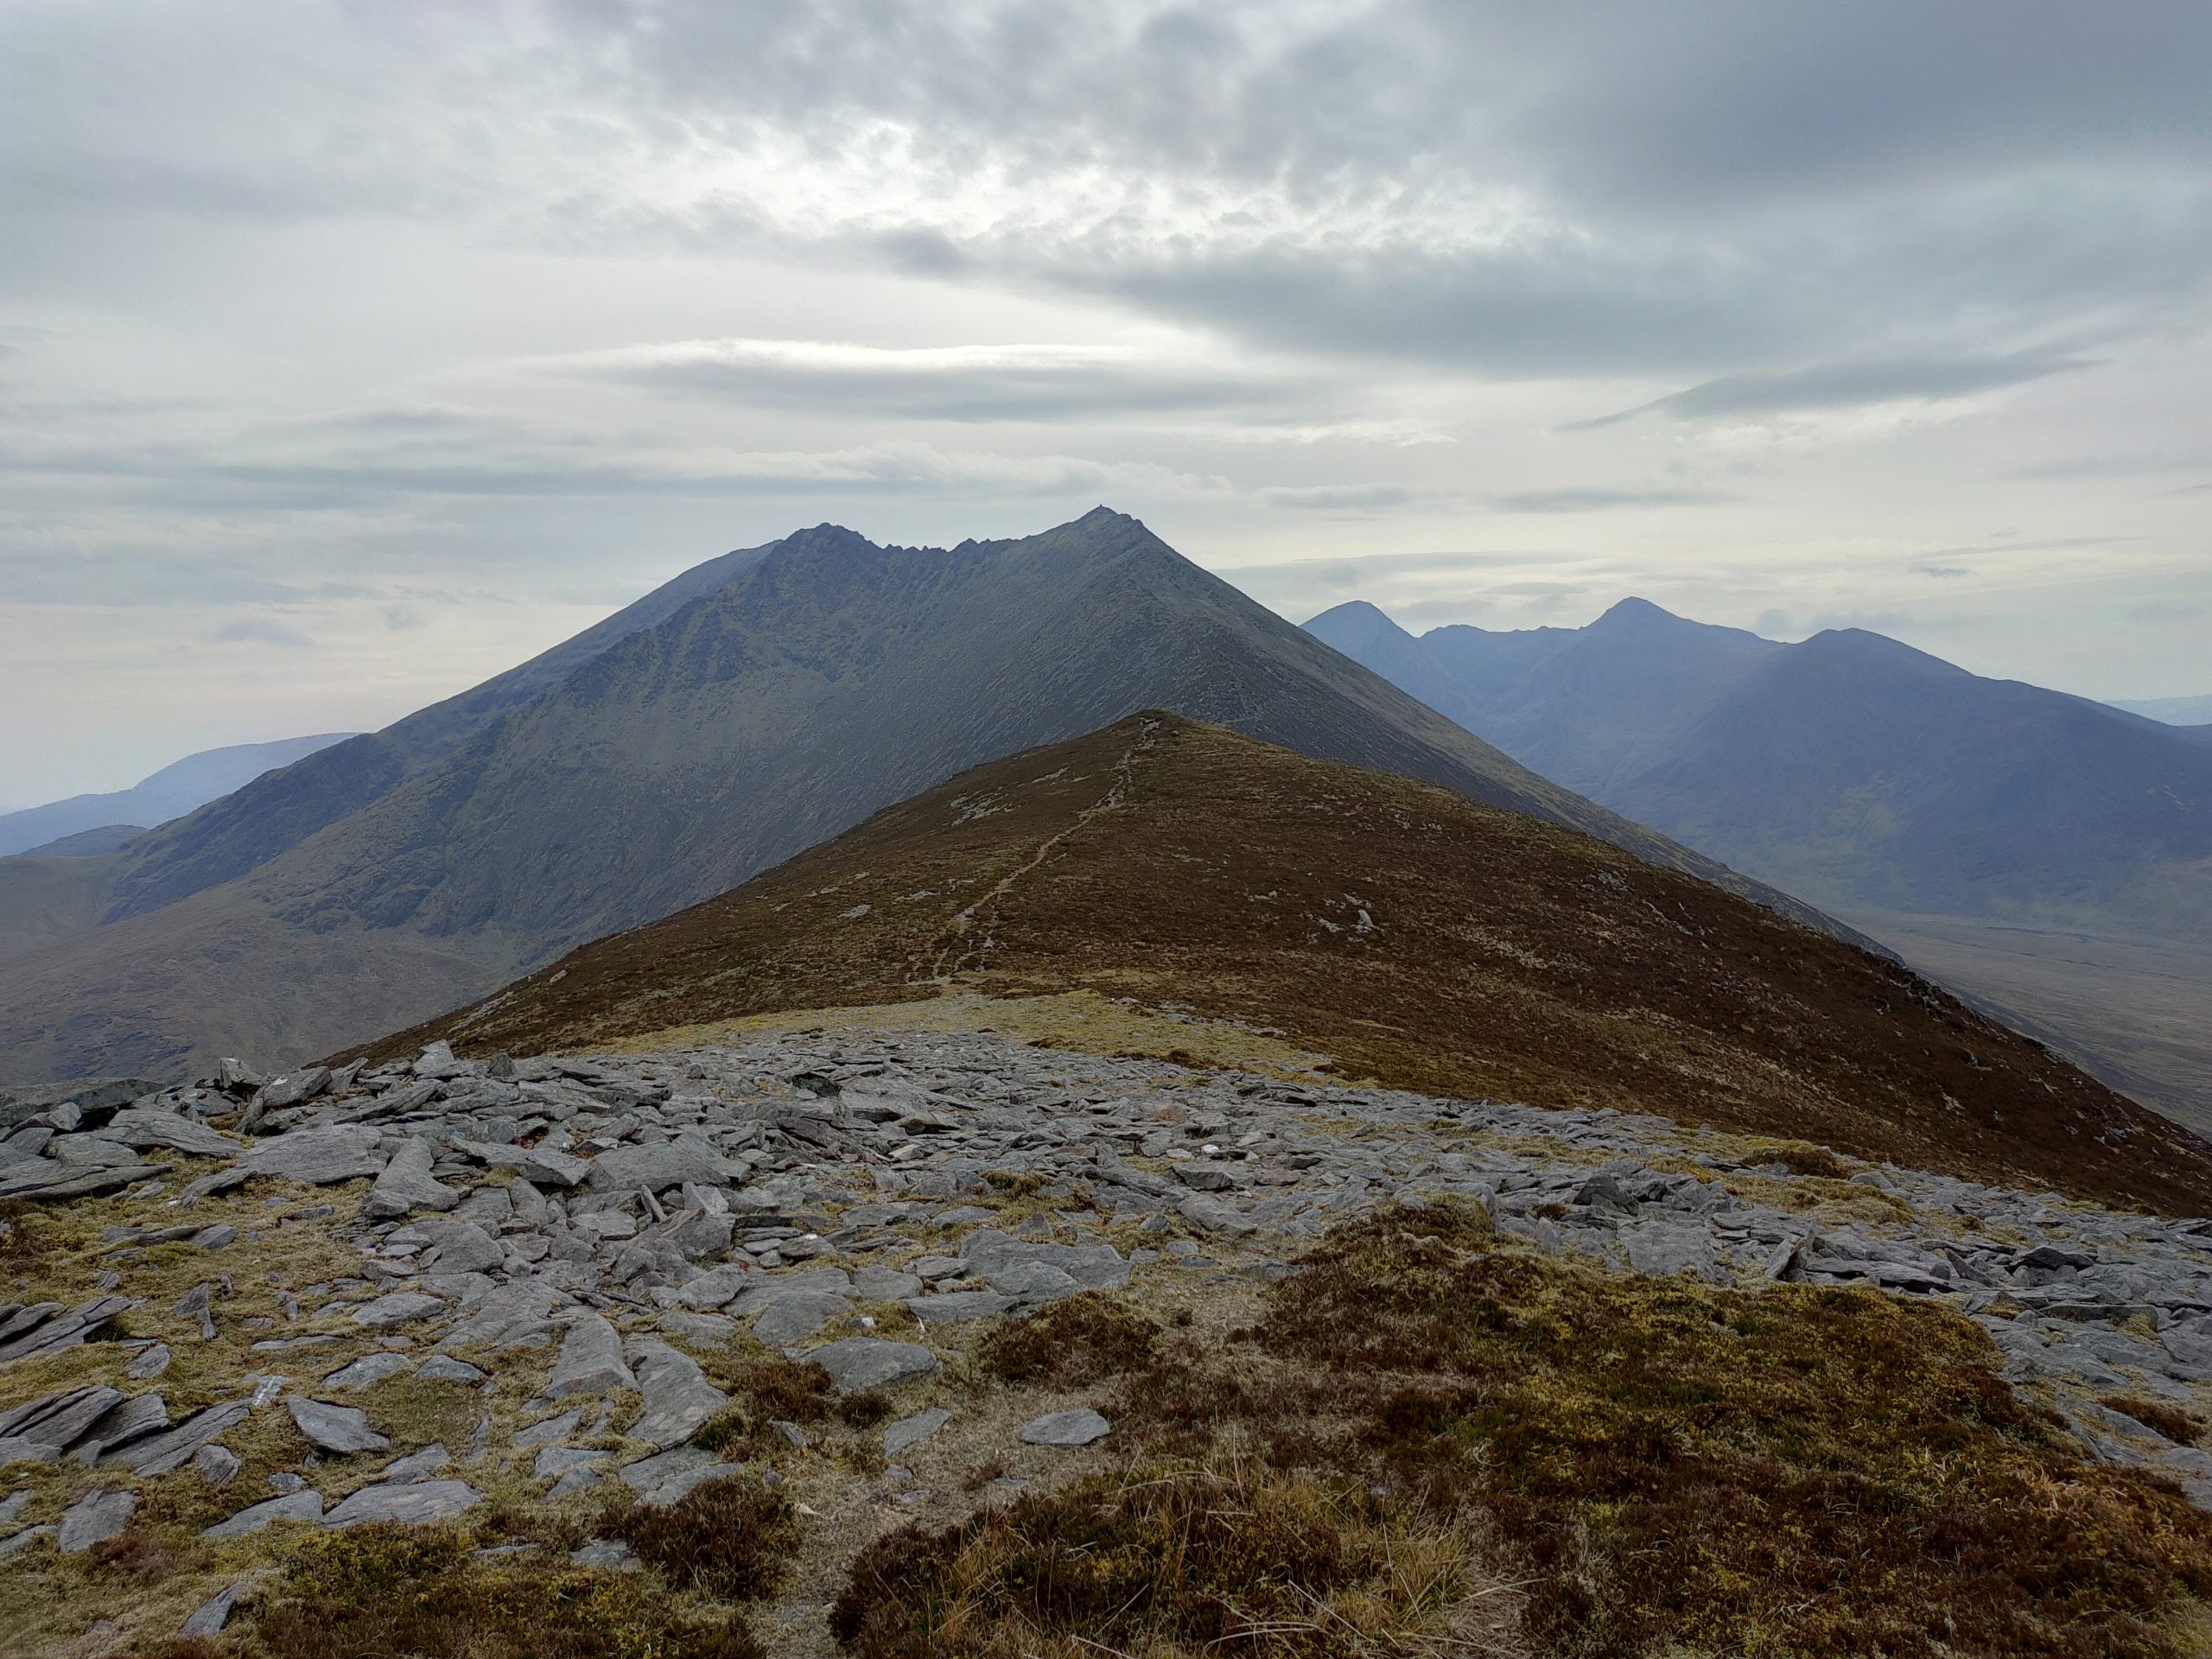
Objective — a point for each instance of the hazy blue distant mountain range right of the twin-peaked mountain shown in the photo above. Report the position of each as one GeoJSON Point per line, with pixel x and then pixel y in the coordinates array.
{"type": "Point", "coordinates": [1884, 784]}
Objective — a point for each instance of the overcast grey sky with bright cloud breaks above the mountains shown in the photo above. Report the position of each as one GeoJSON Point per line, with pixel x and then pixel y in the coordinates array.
{"type": "Point", "coordinates": [351, 353]}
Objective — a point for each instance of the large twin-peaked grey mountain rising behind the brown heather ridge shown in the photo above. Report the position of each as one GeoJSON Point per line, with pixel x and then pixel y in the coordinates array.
{"type": "Point", "coordinates": [773, 700]}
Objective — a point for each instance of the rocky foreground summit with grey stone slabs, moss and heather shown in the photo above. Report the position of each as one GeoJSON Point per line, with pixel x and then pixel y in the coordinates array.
{"type": "Point", "coordinates": [833, 1333]}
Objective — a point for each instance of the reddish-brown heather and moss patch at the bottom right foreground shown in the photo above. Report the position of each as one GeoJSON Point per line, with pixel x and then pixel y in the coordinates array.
{"type": "Point", "coordinates": [1667, 1468]}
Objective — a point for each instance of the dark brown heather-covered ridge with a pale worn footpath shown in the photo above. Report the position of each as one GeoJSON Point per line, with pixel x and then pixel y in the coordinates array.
{"type": "Point", "coordinates": [1412, 935]}
